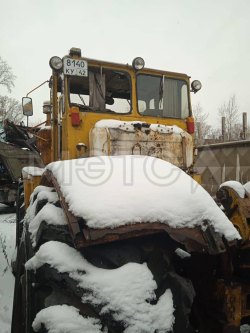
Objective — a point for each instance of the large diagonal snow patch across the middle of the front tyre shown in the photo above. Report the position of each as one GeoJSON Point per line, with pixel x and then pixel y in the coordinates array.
{"type": "Point", "coordinates": [132, 283]}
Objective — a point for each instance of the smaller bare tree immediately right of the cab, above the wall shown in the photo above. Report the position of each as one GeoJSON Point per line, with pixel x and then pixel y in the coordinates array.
{"type": "Point", "coordinates": [202, 128]}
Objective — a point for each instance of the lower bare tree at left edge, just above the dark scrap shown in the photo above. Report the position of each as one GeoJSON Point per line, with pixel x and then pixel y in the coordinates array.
{"type": "Point", "coordinates": [10, 109]}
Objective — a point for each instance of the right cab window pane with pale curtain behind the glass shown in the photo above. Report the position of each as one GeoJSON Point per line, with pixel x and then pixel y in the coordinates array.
{"type": "Point", "coordinates": [160, 96]}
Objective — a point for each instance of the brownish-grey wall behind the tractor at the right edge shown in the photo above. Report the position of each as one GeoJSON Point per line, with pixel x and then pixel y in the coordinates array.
{"type": "Point", "coordinates": [218, 163]}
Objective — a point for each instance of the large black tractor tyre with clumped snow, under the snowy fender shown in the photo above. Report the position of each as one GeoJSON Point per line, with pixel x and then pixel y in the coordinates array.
{"type": "Point", "coordinates": [127, 286]}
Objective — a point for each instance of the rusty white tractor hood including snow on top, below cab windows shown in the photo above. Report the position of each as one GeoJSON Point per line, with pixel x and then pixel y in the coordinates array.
{"type": "Point", "coordinates": [169, 143]}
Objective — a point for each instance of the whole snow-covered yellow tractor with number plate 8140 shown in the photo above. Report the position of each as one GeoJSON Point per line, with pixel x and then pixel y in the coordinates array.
{"type": "Point", "coordinates": [115, 234]}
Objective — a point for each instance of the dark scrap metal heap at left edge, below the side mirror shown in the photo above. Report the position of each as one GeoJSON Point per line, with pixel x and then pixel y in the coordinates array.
{"type": "Point", "coordinates": [17, 150]}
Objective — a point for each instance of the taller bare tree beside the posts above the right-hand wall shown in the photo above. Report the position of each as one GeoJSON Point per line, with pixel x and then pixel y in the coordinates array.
{"type": "Point", "coordinates": [230, 111]}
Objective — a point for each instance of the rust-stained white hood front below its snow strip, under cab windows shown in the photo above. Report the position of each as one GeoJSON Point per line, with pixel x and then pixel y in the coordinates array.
{"type": "Point", "coordinates": [172, 147]}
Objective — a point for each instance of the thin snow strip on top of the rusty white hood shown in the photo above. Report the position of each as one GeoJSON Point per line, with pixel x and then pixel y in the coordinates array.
{"type": "Point", "coordinates": [130, 126]}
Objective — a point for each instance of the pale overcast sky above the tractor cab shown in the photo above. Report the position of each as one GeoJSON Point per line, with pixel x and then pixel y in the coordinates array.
{"type": "Point", "coordinates": [208, 40]}
